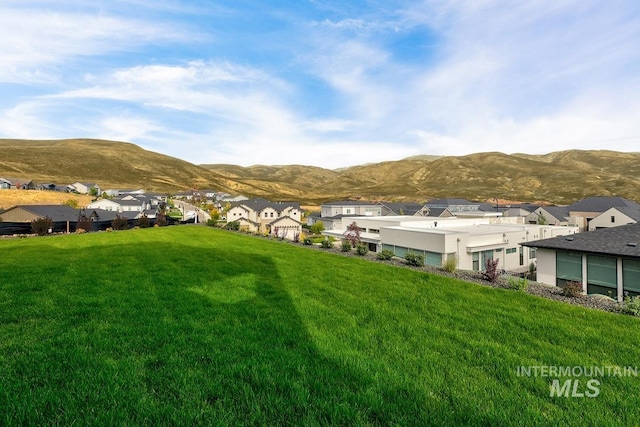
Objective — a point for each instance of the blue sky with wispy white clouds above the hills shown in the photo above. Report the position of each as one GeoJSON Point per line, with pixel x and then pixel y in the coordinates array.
{"type": "Point", "coordinates": [324, 83]}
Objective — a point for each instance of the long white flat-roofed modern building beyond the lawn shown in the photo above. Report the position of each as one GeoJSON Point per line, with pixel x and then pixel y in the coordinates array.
{"type": "Point", "coordinates": [471, 240]}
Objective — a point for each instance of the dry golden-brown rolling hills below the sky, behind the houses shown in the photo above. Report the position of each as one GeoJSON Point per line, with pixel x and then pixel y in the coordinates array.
{"type": "Point", "coordinates": [561, 177]}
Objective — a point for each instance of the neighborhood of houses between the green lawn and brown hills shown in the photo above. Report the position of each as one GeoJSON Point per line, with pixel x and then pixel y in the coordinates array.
{"type": "Point", "coordinates": [560, 243]}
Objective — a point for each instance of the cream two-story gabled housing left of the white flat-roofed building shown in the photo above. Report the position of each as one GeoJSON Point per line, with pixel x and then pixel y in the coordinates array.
{"type": "Point", "coordinates": [263, 216]}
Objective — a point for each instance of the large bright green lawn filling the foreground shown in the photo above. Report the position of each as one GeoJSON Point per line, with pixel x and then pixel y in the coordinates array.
{"type": "Point", "coordinates": [191, 325]}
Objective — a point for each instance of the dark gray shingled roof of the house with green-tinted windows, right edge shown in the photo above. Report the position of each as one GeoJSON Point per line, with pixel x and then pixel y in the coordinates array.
{"type": "Point", "coordinates": [607, 241]}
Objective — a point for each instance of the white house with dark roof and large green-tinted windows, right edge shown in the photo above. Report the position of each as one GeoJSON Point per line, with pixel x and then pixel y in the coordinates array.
{"type": "Point", "coordinates": [605, 261]}
